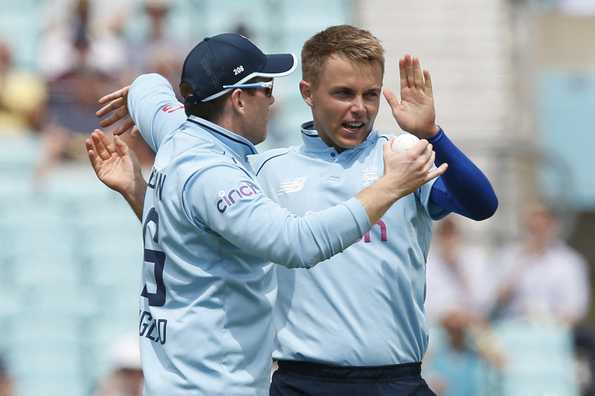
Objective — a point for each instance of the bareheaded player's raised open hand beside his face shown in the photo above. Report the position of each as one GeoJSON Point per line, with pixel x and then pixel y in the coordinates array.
{"type": "Point", "coordinates": [415, 113]}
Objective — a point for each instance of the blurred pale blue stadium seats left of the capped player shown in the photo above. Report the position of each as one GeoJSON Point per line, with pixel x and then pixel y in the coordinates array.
{"type": "Point", "coordinates": [70, 256]}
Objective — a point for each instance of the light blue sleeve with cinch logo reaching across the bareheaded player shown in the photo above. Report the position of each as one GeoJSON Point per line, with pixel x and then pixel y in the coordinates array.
{"type": "Point", "coordinates": [226, 199]}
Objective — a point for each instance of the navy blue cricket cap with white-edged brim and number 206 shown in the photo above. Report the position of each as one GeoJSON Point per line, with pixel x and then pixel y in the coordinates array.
{"type": "Point", "coordinates": [228, 59]}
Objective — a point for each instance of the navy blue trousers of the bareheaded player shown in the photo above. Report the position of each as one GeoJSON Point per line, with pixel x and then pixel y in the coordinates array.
{"type": "Point", "coordinates": [311, 379]}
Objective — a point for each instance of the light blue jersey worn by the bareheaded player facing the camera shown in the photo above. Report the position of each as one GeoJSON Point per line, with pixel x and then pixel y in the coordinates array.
{"type": "Point", "coordinates": [366, 308]}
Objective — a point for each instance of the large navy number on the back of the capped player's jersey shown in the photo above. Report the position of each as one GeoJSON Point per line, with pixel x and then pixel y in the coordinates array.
{"type": "Point", "coordinates": [156, 257]}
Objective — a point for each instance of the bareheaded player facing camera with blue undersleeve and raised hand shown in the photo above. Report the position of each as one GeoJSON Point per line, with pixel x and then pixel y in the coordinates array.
{"type": "Point", "coordinates": [361, 331]}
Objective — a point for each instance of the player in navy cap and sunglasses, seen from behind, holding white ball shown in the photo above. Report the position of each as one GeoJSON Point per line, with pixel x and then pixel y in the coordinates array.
{"type": "Point", "coordinates": [209, 232]}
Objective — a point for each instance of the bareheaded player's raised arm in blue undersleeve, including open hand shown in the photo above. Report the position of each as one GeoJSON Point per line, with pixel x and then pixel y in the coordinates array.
{"type": "Point", "coordinates": [463, 189]}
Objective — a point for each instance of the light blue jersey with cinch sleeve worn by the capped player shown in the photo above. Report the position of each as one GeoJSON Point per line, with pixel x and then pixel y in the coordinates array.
{"type": "Point", "coordinates": [207, 286]}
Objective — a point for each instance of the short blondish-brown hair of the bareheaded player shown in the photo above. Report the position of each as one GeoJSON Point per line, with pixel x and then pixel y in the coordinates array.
{"type": "Point", "coordinates": [349, 42]}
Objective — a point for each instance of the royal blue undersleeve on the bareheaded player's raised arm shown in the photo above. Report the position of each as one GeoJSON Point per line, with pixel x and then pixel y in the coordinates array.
{"type": "Point", "coordinates": [463, 188]}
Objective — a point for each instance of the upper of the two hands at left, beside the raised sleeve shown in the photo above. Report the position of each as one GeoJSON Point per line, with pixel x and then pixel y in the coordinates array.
{"type": "Point", "coordinates": [116, 107]}
